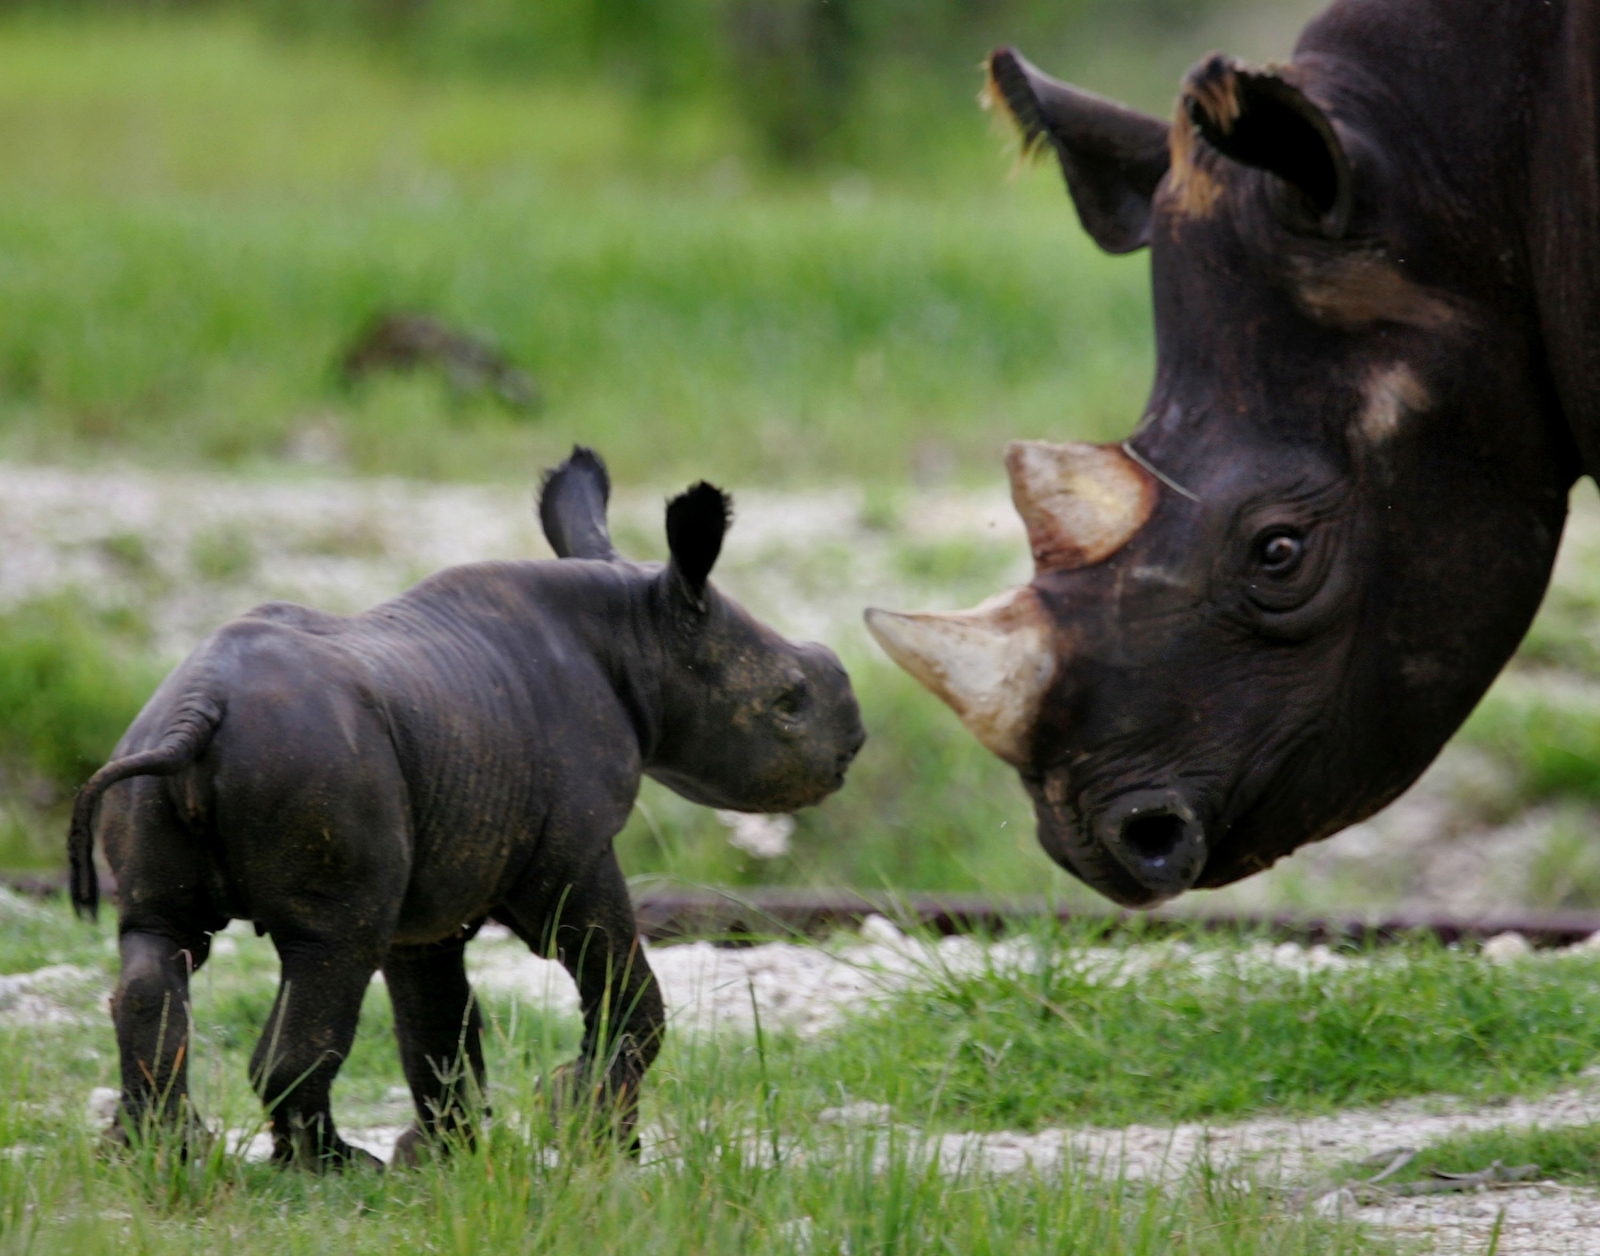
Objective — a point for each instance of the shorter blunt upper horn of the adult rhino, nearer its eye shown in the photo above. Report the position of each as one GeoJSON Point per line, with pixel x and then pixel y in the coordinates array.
{"type": "Point", "coordinates": [1081, 503]}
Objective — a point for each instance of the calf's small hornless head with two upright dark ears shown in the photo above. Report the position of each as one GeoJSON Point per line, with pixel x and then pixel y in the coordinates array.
{"type": "Point", "coordinates": [746, 719]}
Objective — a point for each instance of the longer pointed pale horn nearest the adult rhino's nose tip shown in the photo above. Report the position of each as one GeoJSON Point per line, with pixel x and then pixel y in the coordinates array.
{"type": "Point", "coordinates": [990, 665]}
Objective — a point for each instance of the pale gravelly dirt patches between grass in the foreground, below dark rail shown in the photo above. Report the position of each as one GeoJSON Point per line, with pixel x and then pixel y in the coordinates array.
{"type": "Point", "coordinates": [809, 988]}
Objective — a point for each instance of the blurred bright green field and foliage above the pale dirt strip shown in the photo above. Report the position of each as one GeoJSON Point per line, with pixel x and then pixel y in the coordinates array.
{"type": "Point", "coordinates": [758, 239]}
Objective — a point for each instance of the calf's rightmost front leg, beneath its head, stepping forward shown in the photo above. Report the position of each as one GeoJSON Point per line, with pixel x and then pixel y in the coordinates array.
{"type": "Point", "coordinates": [598, 942]}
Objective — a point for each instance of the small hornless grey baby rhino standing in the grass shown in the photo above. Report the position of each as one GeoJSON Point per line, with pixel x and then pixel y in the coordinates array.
{"type": "Point", "coordinates": [370, 790]}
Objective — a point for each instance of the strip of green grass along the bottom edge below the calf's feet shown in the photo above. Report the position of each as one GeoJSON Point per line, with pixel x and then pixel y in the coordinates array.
{"type": "Point", "coordinates": [863, 1198]}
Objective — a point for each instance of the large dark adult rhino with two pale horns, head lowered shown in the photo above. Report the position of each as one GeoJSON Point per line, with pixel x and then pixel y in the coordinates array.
{"type": "Point", "coordinates": [1377, 292]}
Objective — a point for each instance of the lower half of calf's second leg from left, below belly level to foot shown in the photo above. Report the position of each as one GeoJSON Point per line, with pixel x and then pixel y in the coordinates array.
{"type": "Point", "coordinates": [306, 1041]}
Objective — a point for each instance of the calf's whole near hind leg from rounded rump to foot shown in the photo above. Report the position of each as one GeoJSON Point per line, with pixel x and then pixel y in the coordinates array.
{"type": "Point", "coordinates": [314, 830]}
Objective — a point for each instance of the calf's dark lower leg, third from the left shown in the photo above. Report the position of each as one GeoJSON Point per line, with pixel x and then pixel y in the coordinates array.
{"type": "Point", "coordinates": [441, 1041]}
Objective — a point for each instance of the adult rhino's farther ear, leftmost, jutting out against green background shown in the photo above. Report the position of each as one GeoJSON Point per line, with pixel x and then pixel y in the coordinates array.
{"type": "Point", "coordinates": [1113, 158]}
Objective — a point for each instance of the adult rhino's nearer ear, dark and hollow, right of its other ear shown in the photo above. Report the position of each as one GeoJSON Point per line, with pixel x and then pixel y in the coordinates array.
{"type": "Point", "coordinates": [1260, 119]}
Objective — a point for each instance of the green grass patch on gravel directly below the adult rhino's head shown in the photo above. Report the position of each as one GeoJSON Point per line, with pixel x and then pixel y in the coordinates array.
{"type": "Point", "coordinates": [1217, 1034]}
